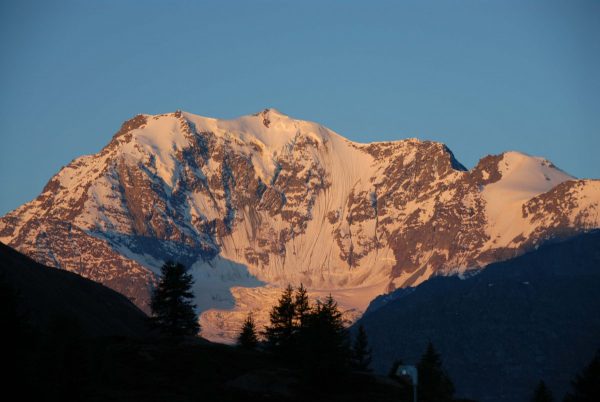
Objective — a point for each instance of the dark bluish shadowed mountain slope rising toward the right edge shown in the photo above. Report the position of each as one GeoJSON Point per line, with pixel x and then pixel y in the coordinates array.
{"type": "Point", "coordinates": [499, 332]}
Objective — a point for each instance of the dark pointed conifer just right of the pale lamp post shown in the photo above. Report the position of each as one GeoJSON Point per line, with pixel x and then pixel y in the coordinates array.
{"type": "Point", "coordinates": [434, 384]}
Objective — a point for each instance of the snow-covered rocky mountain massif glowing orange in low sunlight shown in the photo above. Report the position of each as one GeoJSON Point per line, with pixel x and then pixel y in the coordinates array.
{"type": "Point", "coordinates": [266, 200]}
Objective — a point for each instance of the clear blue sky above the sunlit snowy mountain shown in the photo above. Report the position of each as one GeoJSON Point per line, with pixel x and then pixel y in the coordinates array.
{"type": "Point", "coordinates": [481, 76]}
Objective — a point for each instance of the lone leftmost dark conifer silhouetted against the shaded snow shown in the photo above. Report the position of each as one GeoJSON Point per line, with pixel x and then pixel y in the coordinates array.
{"type": "Point", "coordinates": [172, 309]}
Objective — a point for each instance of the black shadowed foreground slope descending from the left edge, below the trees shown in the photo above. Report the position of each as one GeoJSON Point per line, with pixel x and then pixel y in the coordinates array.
{"type": "Point", "coordinates": [65, 338]}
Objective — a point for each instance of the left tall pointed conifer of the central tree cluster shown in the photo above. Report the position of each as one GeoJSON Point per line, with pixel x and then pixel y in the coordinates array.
{"type": "Point", "coordinates": [281, 329]}
